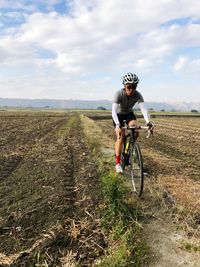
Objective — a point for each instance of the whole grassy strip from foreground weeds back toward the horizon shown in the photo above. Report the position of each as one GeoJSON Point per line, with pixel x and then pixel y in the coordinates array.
{"type": "Point", "coordinates": [120, 214]}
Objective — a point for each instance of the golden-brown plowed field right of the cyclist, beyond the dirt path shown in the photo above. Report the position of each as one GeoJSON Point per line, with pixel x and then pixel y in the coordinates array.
{"type": "Point", "coordinates": [171, 158]}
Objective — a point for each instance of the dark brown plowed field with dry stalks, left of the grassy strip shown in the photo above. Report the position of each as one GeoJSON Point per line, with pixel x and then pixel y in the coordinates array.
{"type": "Point", "coordinates": [47, 207]}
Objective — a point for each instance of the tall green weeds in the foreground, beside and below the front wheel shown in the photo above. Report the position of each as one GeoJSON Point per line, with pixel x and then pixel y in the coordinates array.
{"type": "Point", "coordinates": [119, 221]}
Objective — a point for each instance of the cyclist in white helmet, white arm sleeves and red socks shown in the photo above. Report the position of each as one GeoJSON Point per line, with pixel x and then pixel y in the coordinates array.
{"type": "Point", "coordinates": [122, 105]}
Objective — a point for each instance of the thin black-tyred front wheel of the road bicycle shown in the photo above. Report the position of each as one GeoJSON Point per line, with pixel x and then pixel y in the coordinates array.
{"type": "Point", "coordinates": [136, 169]}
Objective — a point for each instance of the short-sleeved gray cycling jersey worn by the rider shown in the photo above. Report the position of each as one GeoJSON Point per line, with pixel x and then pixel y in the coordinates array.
{"type": "Point", "coordinates": [125, 102]}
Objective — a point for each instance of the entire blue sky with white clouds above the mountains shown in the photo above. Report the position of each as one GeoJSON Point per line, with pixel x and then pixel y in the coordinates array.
{"type": "Point", "coordinates": [80, 49]}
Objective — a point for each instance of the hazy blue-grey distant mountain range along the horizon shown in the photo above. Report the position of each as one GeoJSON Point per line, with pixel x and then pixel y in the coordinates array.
{"type": "Point", "coordinates": [92, 104]}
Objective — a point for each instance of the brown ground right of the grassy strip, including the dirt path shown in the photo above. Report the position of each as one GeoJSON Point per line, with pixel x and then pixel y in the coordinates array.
{"type": "Point", "coordinates": [170, 202]}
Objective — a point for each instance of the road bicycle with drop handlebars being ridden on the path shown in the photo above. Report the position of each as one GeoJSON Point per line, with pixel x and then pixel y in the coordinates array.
{"type": "Point", "coordinates": [131, 157]}
